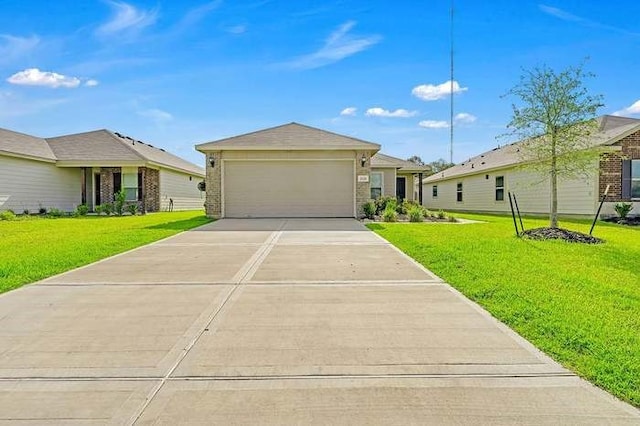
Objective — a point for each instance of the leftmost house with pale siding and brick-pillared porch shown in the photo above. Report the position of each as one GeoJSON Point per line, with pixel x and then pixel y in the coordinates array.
{"type": "Point", "coordinates": [89, 168]}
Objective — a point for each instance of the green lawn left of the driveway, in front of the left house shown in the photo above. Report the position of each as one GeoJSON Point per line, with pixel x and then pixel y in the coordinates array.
{"type": "Point", "coordinates": [36, 248]}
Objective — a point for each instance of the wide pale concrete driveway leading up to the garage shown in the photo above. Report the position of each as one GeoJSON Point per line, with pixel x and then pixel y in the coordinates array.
{"type": "Point", "coordinates": [274, 321]}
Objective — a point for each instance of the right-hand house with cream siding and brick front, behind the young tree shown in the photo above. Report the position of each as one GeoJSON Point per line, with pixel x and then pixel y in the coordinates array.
{"type": "Point", "coordinates": [481, 183]}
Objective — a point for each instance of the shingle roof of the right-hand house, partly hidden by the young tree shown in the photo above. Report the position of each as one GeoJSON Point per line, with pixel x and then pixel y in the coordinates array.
{"type": "Point", "coordinates": [610, 130]}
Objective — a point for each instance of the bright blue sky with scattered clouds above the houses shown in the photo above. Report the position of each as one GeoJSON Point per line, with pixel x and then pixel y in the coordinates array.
{"type": "Point", "coordinates": [179, 73]}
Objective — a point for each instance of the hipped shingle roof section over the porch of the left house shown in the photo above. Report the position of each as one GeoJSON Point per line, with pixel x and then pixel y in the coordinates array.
{"type": "Point", "coordinates": [104, 147]}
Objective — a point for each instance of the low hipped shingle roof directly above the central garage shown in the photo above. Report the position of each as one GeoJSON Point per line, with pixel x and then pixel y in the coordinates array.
{"type": "Point", "coordinates": [292, 136]}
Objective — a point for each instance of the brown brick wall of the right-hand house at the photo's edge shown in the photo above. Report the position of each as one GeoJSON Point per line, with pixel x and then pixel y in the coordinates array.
{"type": "Point", "coordinates": [611, 166]}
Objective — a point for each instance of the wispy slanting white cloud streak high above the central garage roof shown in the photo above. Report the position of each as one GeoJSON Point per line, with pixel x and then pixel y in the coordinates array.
{"type": "Point", "coordinates": [339, 45]}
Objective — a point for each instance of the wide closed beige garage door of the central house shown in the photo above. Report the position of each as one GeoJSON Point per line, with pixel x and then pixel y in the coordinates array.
{"type": "Point", "coordinates": [298, 188]}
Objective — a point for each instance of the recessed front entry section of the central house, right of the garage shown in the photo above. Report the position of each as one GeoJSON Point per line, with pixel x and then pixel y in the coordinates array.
{"type": "Point", "coordinates": [393, 177]}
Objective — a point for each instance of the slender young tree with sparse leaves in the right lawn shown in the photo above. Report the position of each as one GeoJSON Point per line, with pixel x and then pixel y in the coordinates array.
{"type": "Point", "coordinates": [555, 118]}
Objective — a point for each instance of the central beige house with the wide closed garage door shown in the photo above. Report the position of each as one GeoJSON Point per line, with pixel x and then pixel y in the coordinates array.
{"type": "Point", "coordinates": [295, 170]}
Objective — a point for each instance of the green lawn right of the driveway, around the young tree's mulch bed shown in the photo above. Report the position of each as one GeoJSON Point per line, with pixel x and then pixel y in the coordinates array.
{"type": "Point", "coordinates": [578, 303]}
